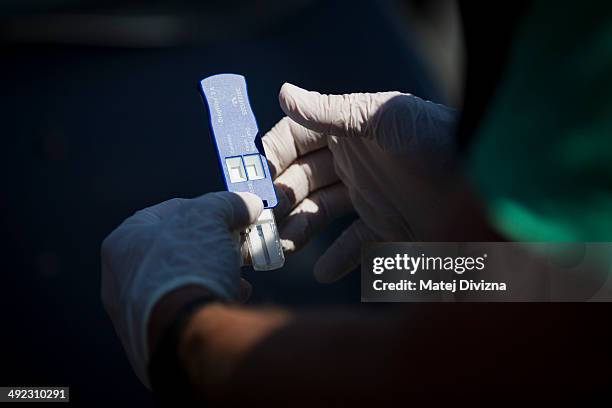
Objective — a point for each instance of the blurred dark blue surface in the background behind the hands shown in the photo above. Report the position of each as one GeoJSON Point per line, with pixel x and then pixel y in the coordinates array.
{"type": "Point", "coordinates": [92, 134]}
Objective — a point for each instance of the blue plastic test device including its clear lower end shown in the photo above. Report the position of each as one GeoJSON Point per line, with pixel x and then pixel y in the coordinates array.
{"type": "Point", "coordinates": [242, 159]}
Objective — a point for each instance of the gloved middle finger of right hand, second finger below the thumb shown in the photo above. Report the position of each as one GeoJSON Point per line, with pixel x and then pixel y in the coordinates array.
{"type": "Point", "coordinates": [305, 175]}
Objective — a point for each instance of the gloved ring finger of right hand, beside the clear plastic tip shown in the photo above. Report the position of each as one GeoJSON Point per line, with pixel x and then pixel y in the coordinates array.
{"type": "Point", "coordinates": [313, 214]}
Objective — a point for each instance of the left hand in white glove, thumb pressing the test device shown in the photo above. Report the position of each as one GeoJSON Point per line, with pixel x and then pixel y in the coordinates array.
{"type": "Point", "coordinates": [159, 249]}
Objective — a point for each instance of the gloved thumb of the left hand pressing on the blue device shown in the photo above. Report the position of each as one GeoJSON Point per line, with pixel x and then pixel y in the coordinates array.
{"type": "Point", "coordinates": [238, 210]}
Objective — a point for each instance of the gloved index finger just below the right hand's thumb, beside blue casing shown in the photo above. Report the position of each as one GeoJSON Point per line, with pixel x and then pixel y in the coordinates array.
{"type": "Point", "coordinates": [287, 141]}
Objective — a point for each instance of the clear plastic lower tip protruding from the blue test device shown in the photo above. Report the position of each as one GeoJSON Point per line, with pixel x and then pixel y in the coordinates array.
{"type": "Point", "coordinates": [264, 243]}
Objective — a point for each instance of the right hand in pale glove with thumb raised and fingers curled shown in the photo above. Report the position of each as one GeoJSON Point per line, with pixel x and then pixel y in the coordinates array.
{"type": "Point", "coordinates": [383, 155]}
